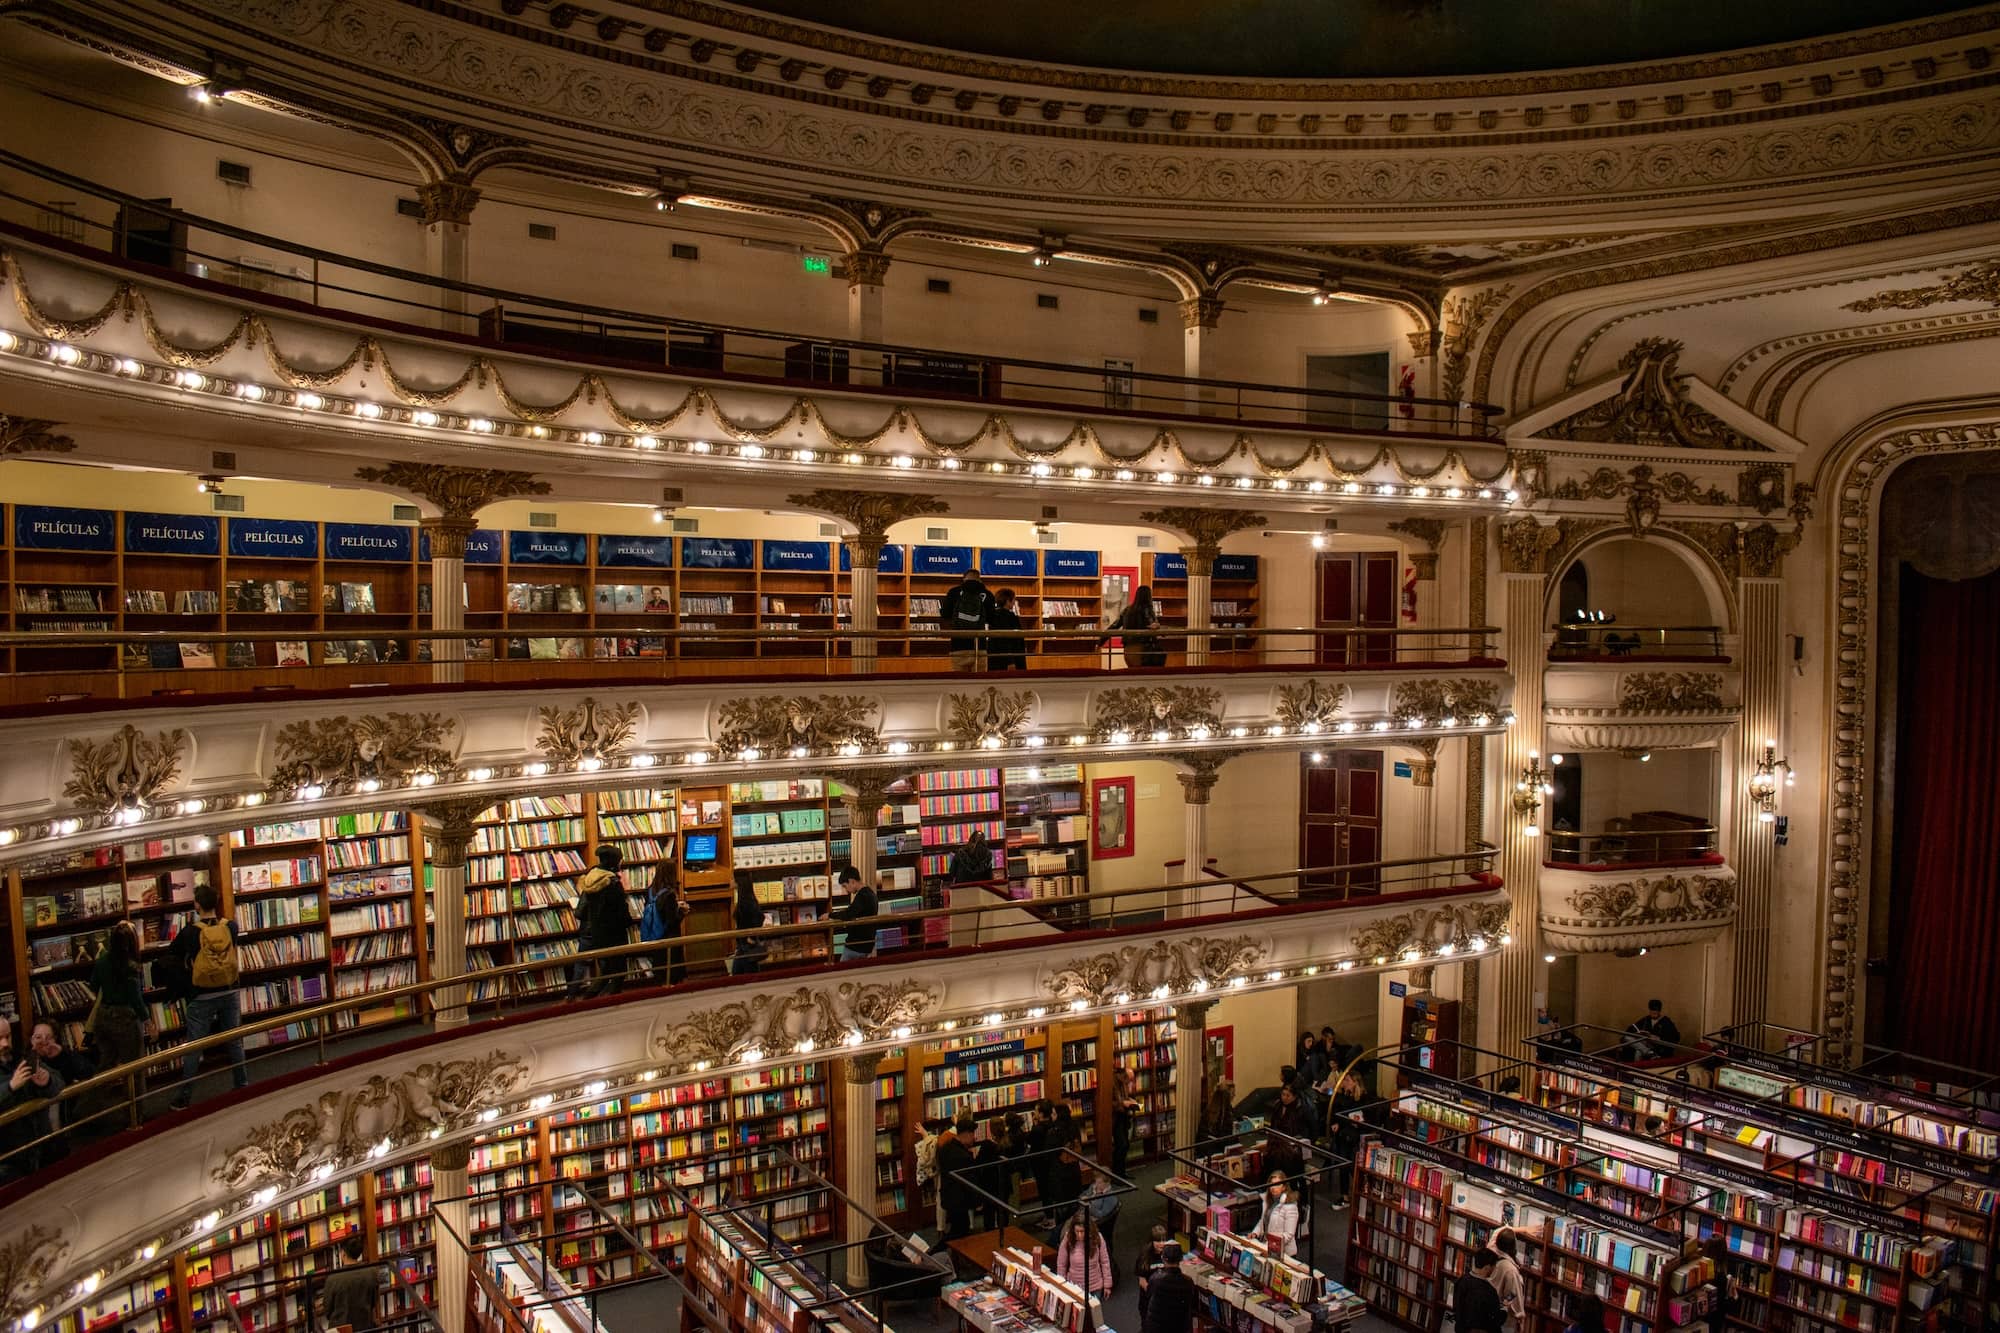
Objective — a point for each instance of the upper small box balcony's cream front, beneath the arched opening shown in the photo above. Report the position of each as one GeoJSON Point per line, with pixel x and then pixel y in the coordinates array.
{"type": "Point", "coordinates": [1625, 706]}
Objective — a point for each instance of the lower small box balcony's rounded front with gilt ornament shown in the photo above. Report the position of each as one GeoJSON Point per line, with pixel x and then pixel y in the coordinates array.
{"type": "Point", "coordinates": [1605, 912]}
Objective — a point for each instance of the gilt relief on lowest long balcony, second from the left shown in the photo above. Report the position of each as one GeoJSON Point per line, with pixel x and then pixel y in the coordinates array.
{"type": "Point", "coordinates": [343, 1126]}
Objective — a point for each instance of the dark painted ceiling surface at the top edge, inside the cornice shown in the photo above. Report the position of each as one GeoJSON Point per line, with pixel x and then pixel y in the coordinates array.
{"type": "Point", "coordinates": [1347, 39]}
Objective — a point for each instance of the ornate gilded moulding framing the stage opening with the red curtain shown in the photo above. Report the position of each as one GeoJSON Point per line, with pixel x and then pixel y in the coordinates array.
{"type": "Point", "coordinates": [1851, 716]}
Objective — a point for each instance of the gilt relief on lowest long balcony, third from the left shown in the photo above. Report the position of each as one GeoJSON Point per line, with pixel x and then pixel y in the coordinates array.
{"type": "Point", "coordinates": [781, 1022]}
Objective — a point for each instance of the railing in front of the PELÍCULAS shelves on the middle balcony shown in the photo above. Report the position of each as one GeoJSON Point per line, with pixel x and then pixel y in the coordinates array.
{"type": "Point", "coordinates": [121, 663]}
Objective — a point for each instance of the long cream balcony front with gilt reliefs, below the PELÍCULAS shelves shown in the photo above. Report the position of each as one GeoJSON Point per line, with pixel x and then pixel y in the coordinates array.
{"type": "Point", "coordinates": [93, 772]}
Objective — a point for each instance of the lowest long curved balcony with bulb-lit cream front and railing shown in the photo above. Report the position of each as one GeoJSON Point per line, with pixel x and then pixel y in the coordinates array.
{"type": "Point", "coordinates": [319, 1110]}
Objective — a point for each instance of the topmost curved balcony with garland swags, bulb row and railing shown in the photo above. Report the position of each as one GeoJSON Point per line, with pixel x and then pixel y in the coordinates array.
{"type": "Point", "coordinates": [625, 393]}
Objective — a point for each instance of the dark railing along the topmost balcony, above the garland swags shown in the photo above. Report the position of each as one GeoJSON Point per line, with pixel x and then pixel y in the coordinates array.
{"type": "Point", "coordinates": [163, 239]}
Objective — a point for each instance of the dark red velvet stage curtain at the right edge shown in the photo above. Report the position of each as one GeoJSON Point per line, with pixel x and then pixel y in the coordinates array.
{"type": "Point", "coordinates": [1945, 920]}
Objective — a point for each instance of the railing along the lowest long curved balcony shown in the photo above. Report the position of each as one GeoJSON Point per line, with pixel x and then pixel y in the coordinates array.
{"type": "Point", "coordinates": [117, 1100]}
